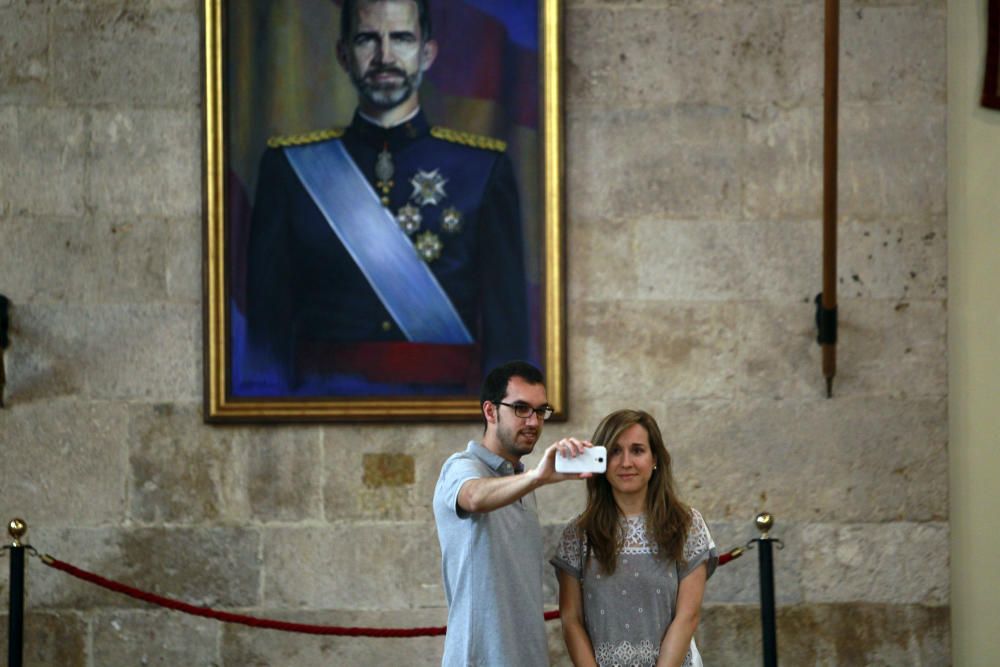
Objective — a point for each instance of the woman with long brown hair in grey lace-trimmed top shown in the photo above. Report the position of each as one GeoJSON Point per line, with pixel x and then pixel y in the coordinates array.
{"type": "Point", "coordinates": [632, 567]}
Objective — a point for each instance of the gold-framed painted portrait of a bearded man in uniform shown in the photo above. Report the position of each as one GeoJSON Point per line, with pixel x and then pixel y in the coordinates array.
{"type": "Point", "coordinates": [384, 208]}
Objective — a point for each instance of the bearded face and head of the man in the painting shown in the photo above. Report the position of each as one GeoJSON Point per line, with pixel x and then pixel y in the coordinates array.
{"type": "Point", "coordinates": [386, 55]}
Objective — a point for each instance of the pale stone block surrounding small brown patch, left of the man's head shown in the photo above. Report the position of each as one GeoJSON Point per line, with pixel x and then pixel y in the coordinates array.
{"type": "Point", "coordinates": [347, 495]}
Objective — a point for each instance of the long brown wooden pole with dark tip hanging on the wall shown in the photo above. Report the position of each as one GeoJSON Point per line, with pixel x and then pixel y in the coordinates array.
{"type": "Point", "coordinates": [826, 303]}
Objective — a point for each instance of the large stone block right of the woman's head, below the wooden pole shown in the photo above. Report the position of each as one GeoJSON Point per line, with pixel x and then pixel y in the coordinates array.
{"type": "Point", "coordinates": [851, 460]}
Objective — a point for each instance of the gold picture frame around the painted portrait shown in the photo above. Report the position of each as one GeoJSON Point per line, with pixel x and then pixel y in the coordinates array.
{"type": "Point", "coordinates": [221, 307]}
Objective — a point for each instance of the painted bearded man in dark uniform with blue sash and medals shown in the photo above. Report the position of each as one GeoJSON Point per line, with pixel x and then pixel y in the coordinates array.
{"type": "Point", "coordinates": [384, 258]}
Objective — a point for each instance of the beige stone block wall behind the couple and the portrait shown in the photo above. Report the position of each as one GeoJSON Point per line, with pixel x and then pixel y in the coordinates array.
{"type": "Point", "coordinates": [693, 191]}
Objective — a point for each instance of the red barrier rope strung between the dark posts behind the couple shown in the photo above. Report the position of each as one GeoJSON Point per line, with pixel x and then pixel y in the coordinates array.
{"type": "Point", "coordinates": [270, 624]}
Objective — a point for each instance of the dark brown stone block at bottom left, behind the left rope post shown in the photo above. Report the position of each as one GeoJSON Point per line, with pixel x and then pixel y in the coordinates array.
{"type": "Point", "coordinates": [51, 639]}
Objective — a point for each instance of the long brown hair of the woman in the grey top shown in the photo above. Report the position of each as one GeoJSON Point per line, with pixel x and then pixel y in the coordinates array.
{"type": "Point", "coordinates": [667, 518]}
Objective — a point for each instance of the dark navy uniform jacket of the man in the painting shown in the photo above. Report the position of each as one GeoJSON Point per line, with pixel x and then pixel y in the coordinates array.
{"type": "Point", "coordinates": [312, 314]}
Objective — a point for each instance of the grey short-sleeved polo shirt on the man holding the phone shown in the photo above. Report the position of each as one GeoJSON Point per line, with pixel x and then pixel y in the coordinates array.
{"type": "Point", "coordinates": [492, 568]}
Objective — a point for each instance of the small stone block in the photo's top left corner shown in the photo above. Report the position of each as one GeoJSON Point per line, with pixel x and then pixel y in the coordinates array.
{"type": "Point", "coordinates": [24, 64]}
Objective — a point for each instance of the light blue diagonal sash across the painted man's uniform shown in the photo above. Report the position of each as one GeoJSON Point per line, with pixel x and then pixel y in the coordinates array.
{"type": "Point", "coordinates": [403, 282]}
